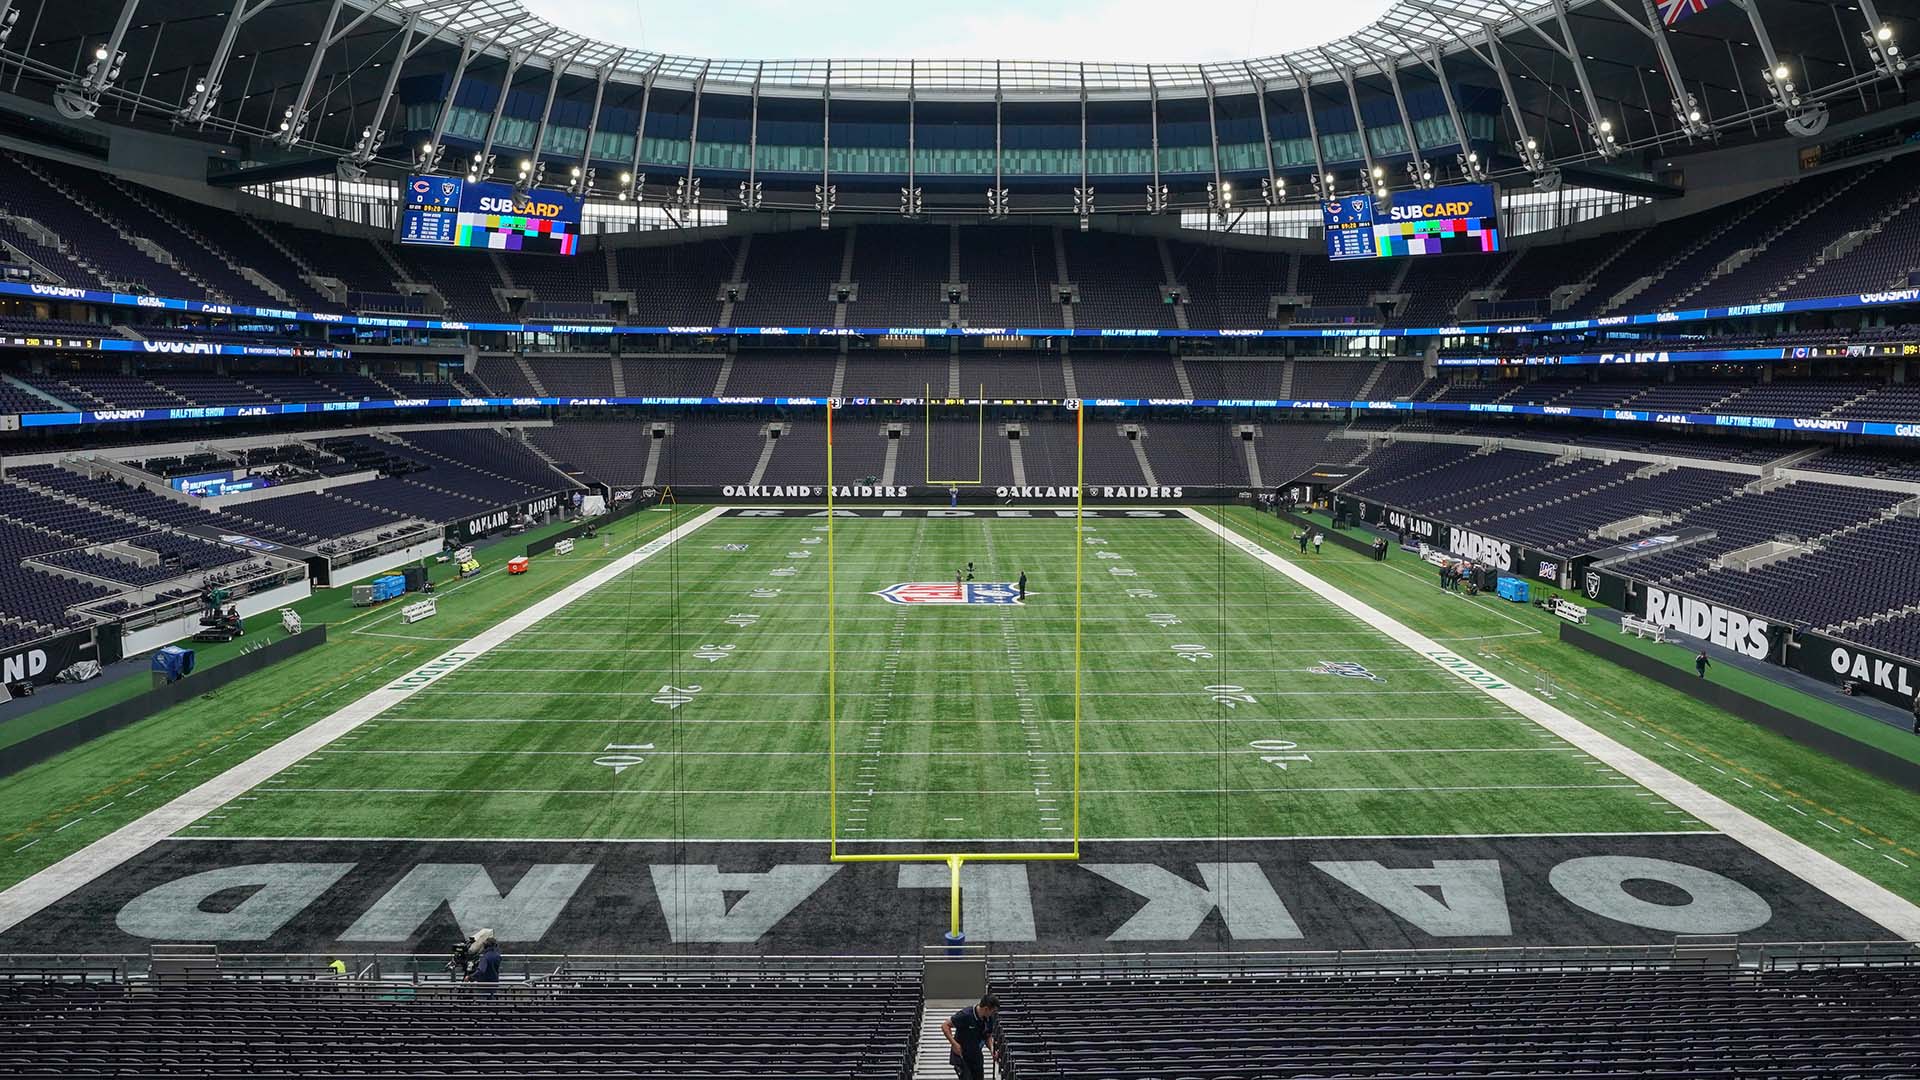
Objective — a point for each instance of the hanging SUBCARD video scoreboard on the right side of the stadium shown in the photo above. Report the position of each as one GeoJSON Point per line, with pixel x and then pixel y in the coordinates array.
{"type": "Point", "coordinates": [1435, 222]}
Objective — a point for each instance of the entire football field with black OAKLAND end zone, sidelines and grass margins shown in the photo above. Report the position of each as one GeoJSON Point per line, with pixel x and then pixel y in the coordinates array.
{"type": "Point", "coordinates": [1176, 739]}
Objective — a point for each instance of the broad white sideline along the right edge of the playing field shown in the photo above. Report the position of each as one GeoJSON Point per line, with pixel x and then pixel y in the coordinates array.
{"type": "Point", "coordinates": [1823, 873]}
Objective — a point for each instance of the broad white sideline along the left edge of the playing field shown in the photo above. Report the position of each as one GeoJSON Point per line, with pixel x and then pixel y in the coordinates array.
{"type": "Point", "coordinates": [32, 896]}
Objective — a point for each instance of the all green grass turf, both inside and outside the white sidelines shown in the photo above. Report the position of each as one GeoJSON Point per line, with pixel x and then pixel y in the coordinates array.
{"type": "Point", "coordinates": [510, 747]}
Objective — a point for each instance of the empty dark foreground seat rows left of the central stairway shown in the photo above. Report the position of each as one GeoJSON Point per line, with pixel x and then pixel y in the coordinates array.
{"type": "Point", "coordinates": [855, 1031]}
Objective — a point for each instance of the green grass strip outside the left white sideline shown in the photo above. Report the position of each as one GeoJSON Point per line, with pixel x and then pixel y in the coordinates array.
{"type": "Point", "coordinates": [76, 798]}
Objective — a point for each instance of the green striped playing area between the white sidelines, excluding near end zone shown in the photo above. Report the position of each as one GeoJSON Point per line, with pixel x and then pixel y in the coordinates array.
{"type": "Point", "coordinates": [690, 699]}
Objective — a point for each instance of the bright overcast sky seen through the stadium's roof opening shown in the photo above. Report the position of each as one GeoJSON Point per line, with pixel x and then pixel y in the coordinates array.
{"type": "Point", "coordinates": [980, 30]}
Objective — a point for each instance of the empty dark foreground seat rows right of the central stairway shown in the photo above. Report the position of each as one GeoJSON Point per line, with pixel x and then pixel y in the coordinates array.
{"type": "Point", "coordinates": [1585, 1025]}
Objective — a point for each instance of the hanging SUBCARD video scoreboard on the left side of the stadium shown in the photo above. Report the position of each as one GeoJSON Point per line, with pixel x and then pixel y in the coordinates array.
{"type": "Point", "coordinates": [450, 212]}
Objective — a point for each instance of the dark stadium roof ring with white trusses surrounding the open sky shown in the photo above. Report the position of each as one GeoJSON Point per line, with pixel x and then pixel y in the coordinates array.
{"type": "Point", "coordinates": [1533, 68]}
